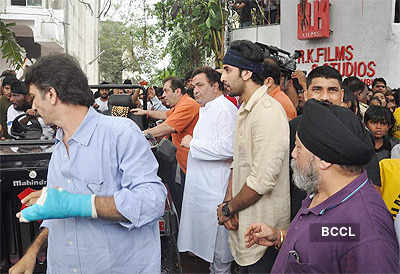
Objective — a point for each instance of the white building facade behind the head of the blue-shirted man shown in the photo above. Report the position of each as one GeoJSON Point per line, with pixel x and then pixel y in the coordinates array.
{"type": "Point", "coordinates": [46, 27]}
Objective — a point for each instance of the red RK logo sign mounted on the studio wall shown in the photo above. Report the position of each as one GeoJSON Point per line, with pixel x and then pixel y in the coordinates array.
{"type": "Point", "coordinates": [319, 28]}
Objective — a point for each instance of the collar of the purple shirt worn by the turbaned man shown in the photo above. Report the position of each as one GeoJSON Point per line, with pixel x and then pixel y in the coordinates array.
{"type": "Point", "coordinates": [336, 199]}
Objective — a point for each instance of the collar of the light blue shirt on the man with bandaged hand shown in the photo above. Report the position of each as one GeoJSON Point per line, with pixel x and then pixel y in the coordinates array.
{"type": "Point", "coordinates": [85, 130]}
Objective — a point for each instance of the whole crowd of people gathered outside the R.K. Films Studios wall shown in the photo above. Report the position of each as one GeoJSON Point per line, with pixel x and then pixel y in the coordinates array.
{"type": "Point", "coordinates": [263, 169]}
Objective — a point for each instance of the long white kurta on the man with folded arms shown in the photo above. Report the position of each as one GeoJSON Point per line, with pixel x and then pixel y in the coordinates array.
{"type": "Point", "coordinates": [208, 168]}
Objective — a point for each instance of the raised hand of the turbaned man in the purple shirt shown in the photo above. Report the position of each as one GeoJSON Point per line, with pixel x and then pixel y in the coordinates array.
{"type": "Point", "coordinates": [261, 234]}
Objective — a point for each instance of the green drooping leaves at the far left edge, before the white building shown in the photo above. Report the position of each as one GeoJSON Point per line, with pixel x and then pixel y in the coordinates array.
{"type": "Point", "coordinates": [9, 47]}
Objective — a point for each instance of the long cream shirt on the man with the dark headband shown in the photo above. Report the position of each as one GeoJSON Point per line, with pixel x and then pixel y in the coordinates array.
{"type": "Point", "coordinates": [261, 160]}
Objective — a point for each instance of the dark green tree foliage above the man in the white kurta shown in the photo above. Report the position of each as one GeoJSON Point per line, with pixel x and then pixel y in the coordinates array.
{"type": "Point", "coordinates": [191, 26]}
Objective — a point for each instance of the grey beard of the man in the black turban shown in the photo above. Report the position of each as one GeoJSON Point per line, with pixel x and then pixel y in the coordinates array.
{"type": "Point", "coordinates": [307, 180]}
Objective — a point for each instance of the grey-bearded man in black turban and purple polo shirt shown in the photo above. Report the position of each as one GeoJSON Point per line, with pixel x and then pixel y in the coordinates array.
{"type": "Point", "coordinates": [343, 224]}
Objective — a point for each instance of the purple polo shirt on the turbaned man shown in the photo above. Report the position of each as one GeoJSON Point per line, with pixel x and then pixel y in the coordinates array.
{"type": "Point", "coordinates": [350, 232]}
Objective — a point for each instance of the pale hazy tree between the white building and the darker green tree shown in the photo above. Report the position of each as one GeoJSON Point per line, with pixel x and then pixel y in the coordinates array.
{"type": "Point", "coordinates": [132, 45]}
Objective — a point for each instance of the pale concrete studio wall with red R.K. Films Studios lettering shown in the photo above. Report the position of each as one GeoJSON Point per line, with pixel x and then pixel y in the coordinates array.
{"type": "Point", "coordinates": [364, 28]}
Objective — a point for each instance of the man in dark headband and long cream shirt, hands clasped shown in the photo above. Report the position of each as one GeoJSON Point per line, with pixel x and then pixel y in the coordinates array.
{"type": "Point", "coordinates": [258, 190]}
